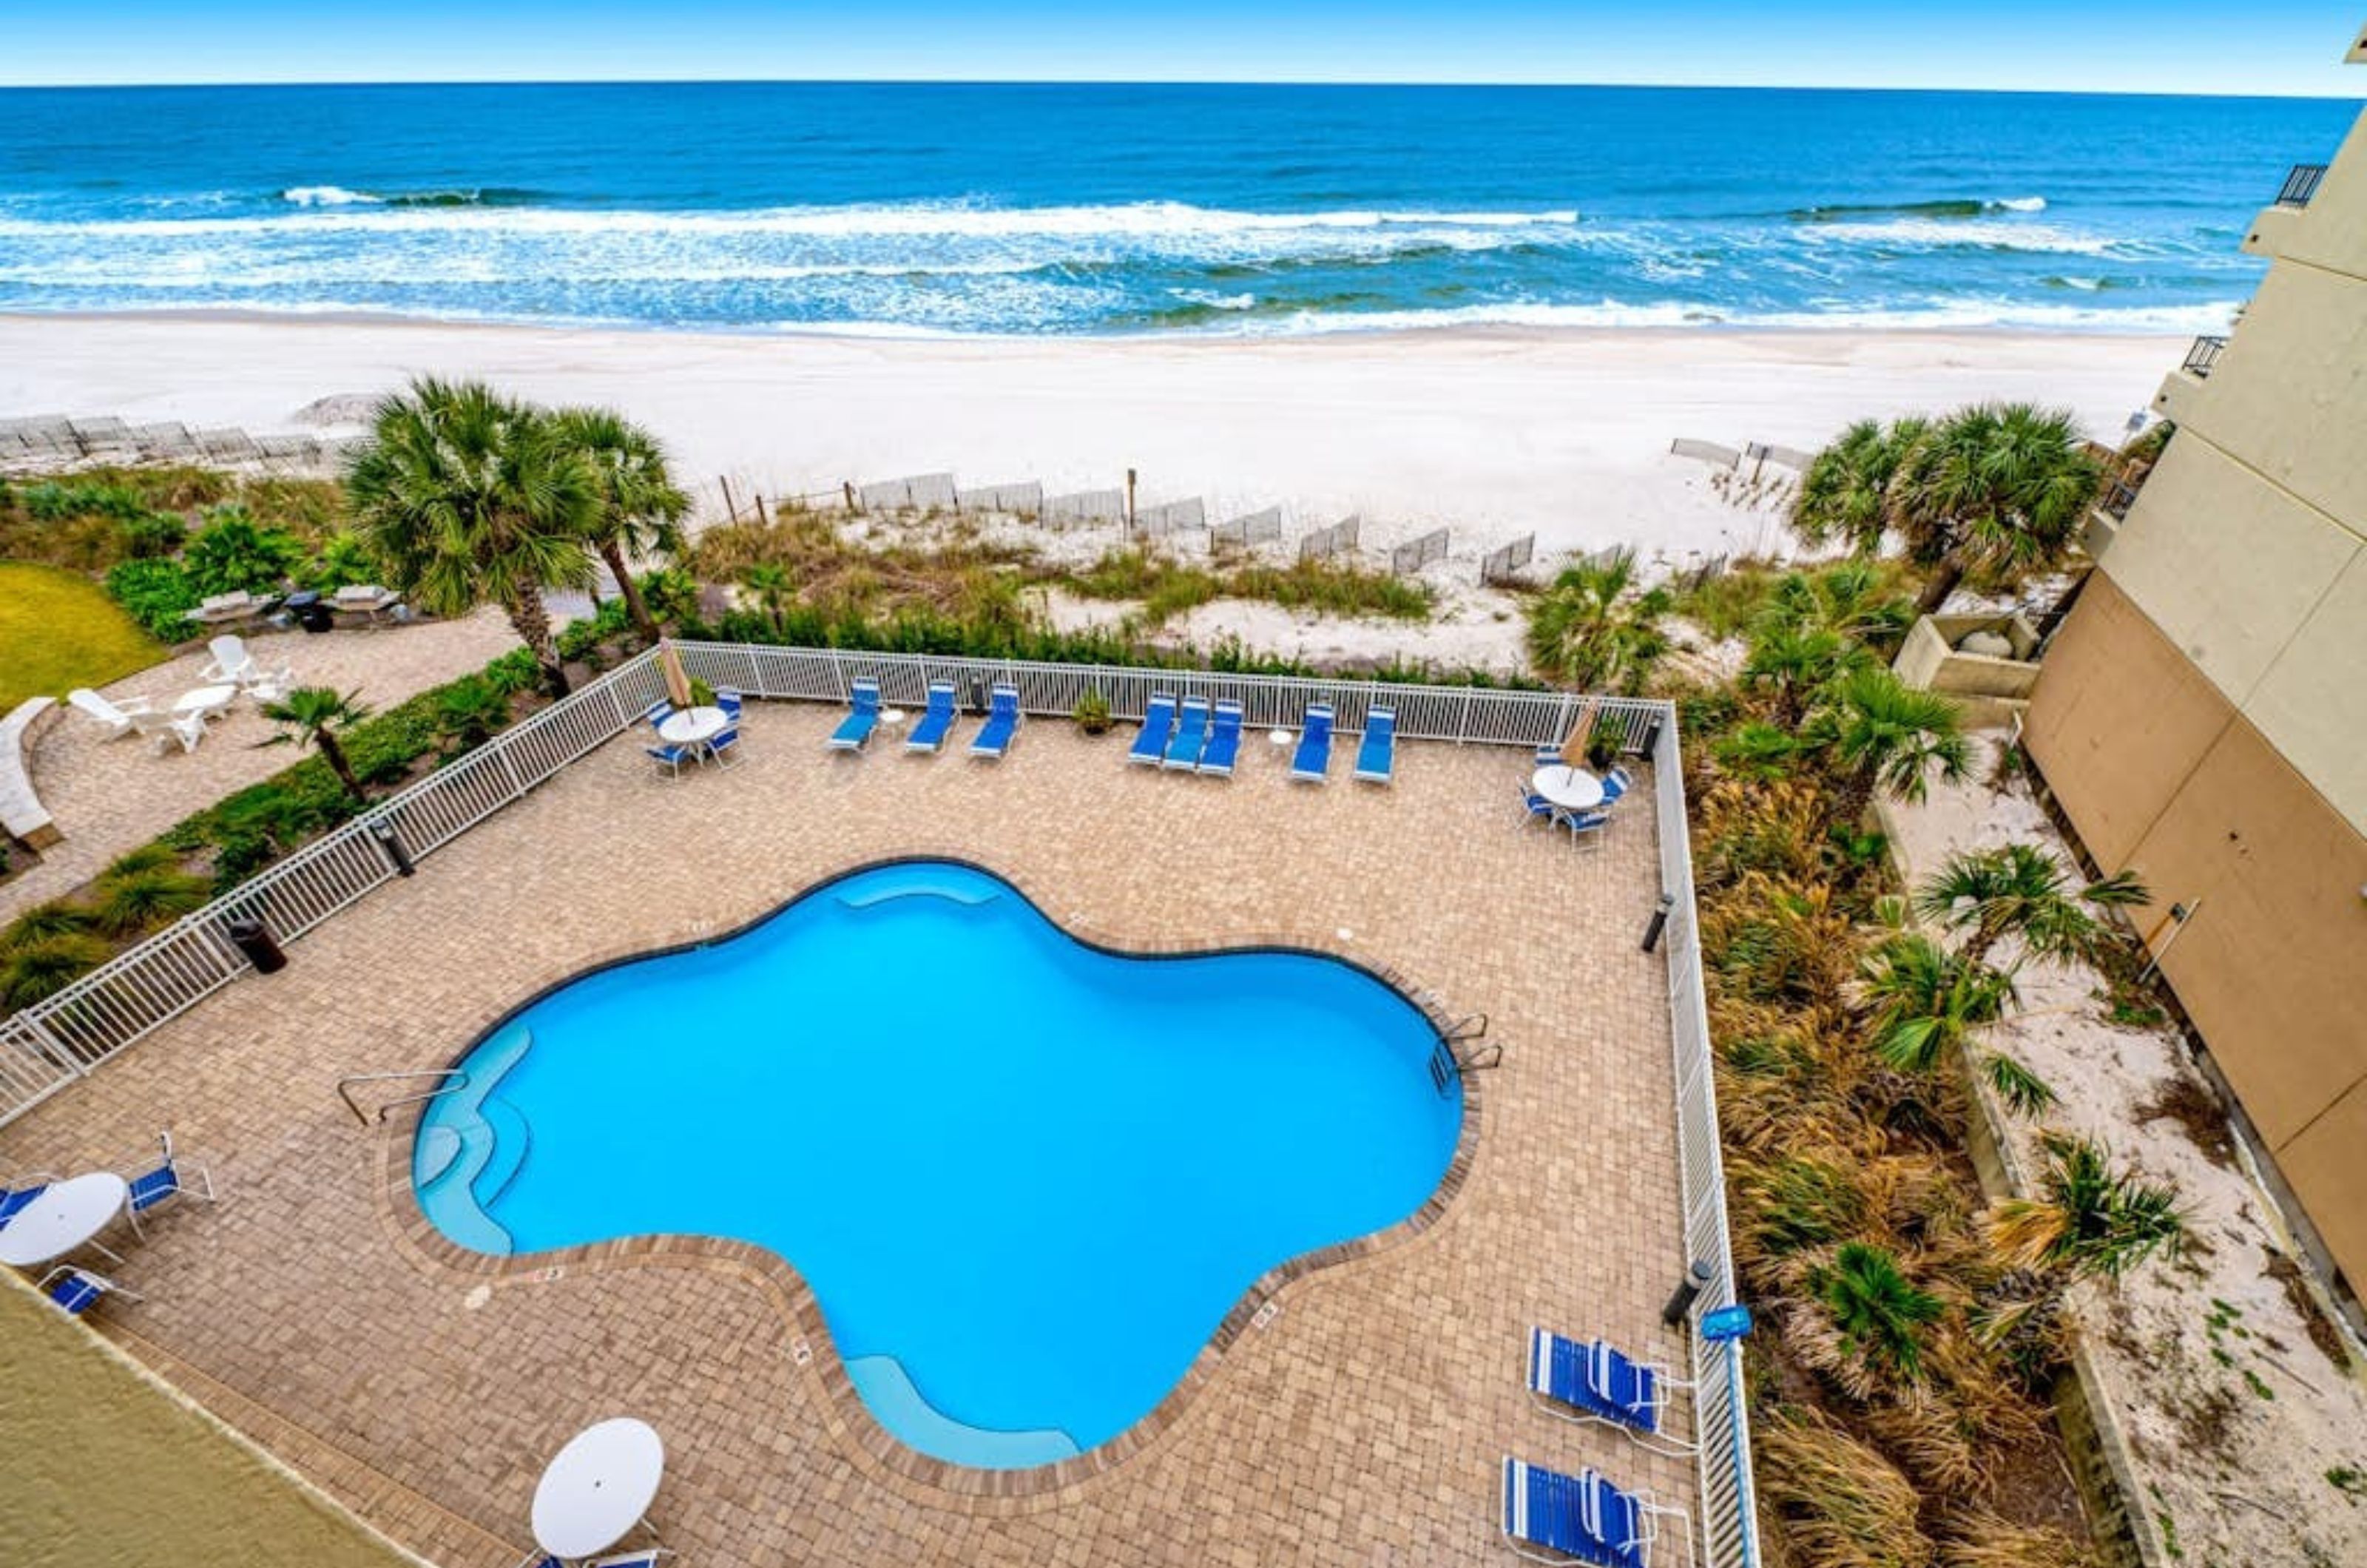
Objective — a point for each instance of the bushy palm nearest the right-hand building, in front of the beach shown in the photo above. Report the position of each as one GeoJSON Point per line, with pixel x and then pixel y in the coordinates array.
{"type": "Point", "coordinates": [1992, 491]}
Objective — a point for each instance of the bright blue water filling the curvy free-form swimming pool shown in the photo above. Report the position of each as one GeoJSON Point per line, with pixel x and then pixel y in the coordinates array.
{"type": "Point", "coordinates": [1026, 1178]}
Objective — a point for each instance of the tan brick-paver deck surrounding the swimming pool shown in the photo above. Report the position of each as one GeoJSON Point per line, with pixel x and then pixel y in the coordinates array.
{"type": "Point", "coordinates": [1362, 1422]}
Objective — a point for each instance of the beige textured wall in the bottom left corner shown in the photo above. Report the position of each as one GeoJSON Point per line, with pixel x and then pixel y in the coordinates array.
{"type": "Point", "coordinates": [105, 1465]}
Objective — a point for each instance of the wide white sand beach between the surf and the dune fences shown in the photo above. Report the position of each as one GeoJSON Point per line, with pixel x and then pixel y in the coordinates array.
{"type": "Point", "coordinates": [1495, 432]}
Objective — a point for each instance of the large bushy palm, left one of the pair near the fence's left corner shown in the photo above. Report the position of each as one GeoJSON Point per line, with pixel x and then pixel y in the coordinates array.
{"type": "Point", "coordinates": [472, 499]}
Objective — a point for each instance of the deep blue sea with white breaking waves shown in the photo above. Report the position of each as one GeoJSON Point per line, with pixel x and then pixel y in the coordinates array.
{"type": "Point", "coordinates": [1144, 210]}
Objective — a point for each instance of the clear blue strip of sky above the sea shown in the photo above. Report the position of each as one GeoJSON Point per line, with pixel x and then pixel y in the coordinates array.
{"type": "Point", "coordinates": [2165, 46]}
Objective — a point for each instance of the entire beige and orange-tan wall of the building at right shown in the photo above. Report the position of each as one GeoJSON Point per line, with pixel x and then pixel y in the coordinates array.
{"type": "Point", "coordinates": [2202, 714]}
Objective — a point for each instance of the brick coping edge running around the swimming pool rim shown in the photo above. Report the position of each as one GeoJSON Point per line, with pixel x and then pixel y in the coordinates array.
{"type": "Point", "coordinates": [858, 1434]}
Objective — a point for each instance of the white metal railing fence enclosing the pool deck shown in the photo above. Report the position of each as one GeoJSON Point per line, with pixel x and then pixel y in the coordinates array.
{"type": "Point", "coordinates": [53, 1043]}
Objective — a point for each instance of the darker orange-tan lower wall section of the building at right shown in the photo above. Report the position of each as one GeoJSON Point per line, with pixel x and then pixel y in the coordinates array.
{"type": "Point", "coordinates": [2160, 773]}
